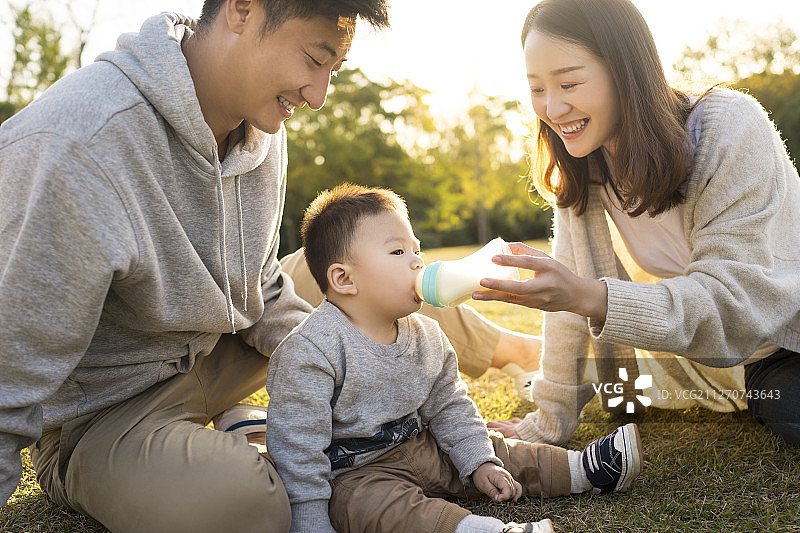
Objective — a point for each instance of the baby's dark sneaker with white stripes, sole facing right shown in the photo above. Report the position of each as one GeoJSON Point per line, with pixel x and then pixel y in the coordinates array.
{"type": "Point", "coordinates": [612, 462]}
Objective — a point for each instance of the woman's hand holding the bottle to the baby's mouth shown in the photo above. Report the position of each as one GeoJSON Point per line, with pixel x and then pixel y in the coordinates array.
{"type": "Point", "coordinates": [553, 286]}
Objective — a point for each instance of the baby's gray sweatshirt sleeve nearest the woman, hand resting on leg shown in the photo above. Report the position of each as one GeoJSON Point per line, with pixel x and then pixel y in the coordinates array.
{"type": "Point", "coordinates": [454, 420]}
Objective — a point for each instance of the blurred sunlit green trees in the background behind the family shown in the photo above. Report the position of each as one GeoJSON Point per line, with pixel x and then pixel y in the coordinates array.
{"type": "Point", "coordinates": [464, 178]}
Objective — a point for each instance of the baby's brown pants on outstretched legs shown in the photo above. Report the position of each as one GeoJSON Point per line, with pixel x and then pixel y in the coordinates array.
{"type": "Point", "coordinates": [402, 490]}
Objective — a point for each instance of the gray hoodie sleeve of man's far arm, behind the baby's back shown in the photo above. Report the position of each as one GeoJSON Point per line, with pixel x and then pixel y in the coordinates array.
{"type": "Point", "coordinates": [283, 308]}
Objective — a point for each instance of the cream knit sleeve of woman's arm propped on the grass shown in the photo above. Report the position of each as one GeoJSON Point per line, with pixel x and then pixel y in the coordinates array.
{"type": "Point", "coordinates": [558, 390]}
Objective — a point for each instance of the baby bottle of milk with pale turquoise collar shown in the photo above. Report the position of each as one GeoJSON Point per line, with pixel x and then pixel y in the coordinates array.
{"type": "Point", "coordinates": [449, 283]}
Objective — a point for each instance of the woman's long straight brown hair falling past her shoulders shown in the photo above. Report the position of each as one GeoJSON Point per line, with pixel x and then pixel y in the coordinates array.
{"type": "Point", "coordinates": [652, 150]}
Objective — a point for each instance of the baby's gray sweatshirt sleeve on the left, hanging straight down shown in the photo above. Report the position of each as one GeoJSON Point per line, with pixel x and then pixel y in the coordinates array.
{"type": "Point", "coordinates": [300, 383]}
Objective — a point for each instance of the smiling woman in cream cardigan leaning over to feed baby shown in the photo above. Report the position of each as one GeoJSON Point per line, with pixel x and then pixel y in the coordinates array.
{"type": "Point", "coordinates": [700, 195]}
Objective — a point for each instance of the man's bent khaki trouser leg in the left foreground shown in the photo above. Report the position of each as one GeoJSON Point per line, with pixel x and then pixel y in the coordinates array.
{"type": "Point", "coordinates": [149, 464]}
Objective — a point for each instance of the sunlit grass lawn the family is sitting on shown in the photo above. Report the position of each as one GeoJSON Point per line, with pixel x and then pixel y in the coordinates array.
{"type": "Point", "coordinates": [703, 471]}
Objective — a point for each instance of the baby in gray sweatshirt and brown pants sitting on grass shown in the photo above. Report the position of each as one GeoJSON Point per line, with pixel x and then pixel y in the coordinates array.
{"type": "Point", "coordinates": [369, 423]}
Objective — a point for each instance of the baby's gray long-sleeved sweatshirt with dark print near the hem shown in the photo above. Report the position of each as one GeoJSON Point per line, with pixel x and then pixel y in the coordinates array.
{"type": "Point", "coordinates": [338, 400]}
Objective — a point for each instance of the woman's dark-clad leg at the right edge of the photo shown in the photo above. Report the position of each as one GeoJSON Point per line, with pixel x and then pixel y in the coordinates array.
{"type": "Point", "coordinates": [773, 389]}
